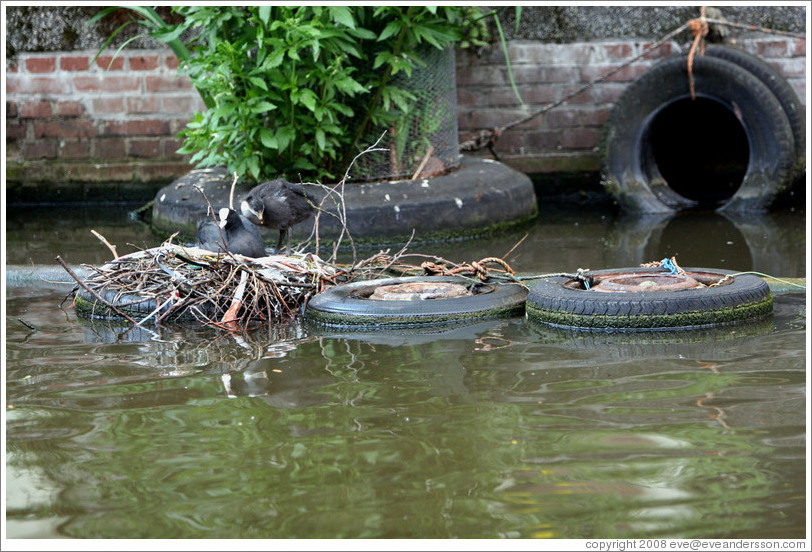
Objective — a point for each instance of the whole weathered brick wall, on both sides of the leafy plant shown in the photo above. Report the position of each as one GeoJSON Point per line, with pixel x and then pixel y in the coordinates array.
{"type": "Point", "coordinates": [70, 121]}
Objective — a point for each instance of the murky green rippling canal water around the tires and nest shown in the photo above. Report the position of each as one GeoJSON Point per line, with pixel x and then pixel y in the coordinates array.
{"type": "Point", "coordinates": [498, 429]}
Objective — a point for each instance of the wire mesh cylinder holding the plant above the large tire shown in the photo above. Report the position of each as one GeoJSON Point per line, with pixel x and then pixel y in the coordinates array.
{"type": "Point", "coordinates": [424, 141]}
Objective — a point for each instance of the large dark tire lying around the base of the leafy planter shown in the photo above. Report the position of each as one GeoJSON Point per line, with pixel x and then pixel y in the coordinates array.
{"type": "Point", "coordinates": [480, 197]}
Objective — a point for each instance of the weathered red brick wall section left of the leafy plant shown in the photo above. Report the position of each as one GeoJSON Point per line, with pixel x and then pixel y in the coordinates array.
{"type": "Point", "coordinates": [72, 120]}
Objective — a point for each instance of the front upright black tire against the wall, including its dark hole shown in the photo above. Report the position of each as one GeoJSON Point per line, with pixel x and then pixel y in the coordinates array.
{"type": "Point", "coordinates": [731, 149]}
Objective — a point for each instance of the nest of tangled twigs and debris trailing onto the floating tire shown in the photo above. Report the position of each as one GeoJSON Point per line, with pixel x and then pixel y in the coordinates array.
{"type": "Point", "coordinates": [177, 283]}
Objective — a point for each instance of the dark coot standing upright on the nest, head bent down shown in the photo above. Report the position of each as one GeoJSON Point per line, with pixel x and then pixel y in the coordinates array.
{"type": "Point", "coordinates": [277, 204]}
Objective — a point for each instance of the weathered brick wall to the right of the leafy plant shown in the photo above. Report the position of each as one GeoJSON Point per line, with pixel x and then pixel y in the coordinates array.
{"type": "Point", "coordinates": [566, 138]}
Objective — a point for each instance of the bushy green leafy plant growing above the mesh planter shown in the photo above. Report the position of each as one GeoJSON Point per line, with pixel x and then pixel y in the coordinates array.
{"type": "Point", "coordinates": [297, 91]}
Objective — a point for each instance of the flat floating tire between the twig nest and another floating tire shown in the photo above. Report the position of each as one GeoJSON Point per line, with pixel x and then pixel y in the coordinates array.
{"type": "Point", "coordinates": [345, 305]}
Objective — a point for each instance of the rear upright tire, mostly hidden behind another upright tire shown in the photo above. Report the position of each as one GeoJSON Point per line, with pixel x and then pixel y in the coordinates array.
{"type": "Point", "coordinates": [780, 88]}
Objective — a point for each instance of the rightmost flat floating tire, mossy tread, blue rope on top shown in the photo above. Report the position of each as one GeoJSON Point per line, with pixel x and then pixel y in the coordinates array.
{"type": "Point", "coordinates": [746, 297]}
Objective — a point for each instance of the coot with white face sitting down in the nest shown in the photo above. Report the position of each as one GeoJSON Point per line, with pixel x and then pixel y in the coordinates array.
{"type": "Point", "coordinates": [240, 235]}
